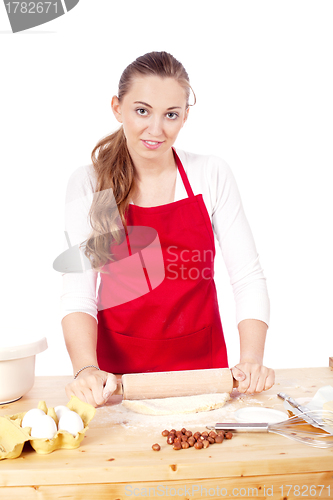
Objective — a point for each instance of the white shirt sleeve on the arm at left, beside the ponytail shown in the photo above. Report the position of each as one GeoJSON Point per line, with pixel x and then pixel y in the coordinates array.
{"type": "Point", "coordinates": [79, 289]}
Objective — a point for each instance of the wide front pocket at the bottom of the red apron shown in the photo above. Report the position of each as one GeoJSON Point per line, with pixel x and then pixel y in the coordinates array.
{"type": "Point", "coordinates": [120, 353]}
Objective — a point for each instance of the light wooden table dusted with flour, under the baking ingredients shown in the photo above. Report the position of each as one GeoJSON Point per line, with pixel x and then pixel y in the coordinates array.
{"type": "Point", "coordinates": [117, 463]}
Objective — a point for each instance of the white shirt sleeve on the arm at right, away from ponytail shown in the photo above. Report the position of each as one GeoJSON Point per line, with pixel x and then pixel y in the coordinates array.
{"type": "Point", "coordinates": [237, 245]}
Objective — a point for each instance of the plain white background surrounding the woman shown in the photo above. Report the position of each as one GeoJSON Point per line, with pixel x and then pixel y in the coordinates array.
{"type": "Point", "coordinates": [262, 73]}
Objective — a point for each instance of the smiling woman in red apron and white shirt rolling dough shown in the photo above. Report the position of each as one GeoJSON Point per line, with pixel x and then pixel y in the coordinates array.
{"type": "Point", "coordinates": [185, 198]}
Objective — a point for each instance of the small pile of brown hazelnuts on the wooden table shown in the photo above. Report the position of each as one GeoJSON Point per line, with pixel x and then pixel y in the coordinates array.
{"type": "Point", "coordinates": [186, 439]}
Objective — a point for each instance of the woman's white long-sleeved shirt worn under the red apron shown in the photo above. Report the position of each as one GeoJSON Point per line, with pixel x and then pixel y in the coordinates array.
{"type": "Point", "coordinates": [208, 175]}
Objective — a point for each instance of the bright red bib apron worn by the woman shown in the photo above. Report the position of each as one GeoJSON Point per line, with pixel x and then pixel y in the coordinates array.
{"type": "Point", "coordinates": [177, 325]}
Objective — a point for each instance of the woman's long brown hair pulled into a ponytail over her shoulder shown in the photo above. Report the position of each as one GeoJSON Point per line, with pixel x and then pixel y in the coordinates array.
{"type": "Point", "coordinates": [113, 165]}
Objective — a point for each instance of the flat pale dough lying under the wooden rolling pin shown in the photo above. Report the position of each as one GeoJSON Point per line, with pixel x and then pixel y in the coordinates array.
{"type": "Point", "coordinates": [172, 406]}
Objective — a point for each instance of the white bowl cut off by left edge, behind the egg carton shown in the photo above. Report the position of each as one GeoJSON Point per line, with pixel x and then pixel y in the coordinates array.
{"type": "Point", "coordinates": [17, 369]}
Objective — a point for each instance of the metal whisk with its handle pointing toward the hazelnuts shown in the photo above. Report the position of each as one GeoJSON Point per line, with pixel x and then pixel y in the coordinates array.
{"type": "Point", "coordinates": [295, 428]}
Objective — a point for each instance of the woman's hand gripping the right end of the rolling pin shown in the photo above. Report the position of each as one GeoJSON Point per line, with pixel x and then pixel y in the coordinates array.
{"type": "Point", "coordinates": [253, 377]}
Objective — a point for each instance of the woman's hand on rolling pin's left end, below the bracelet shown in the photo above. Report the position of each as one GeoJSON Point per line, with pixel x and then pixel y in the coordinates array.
{"type": "Point", "coordinates": [92, 386]}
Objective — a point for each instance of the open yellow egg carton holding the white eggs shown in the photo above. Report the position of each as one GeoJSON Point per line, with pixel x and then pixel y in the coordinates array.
{"type": "Point", "coordinates": [13, 437]}
